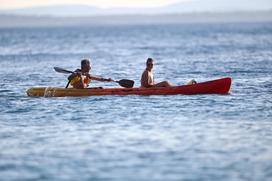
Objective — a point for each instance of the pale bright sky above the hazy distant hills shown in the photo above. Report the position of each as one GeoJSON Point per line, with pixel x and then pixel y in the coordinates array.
{"type": "Point", "coordinates": [16, 4]}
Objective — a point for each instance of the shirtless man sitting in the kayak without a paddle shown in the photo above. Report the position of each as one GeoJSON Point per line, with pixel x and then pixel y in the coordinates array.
{"type": "Point", "coordinates": [147, 79]}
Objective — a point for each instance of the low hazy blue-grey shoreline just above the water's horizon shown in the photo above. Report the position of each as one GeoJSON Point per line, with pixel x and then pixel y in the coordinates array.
{"type": "Point", "coordinates": [10, 21]}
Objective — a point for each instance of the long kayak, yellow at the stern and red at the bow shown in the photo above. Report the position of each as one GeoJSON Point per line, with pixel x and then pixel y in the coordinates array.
{"type": "Point", "coordinates": [219, 86]}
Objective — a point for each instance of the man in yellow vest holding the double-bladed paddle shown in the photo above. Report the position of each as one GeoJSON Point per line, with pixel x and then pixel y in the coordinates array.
{"type": "Point", "coordinates": [81, 78]}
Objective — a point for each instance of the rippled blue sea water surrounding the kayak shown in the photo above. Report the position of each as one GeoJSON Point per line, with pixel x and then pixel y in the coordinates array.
{"type": "Point", "coordinates": [138, 138]}
